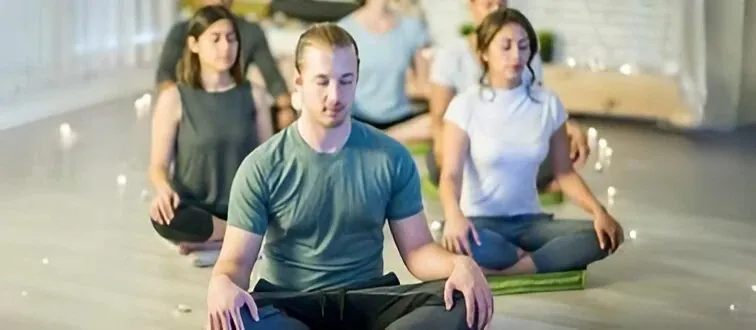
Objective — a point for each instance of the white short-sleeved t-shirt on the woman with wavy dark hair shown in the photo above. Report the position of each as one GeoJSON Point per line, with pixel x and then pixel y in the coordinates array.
{"type": "Point", "coordinates": [509, 134]}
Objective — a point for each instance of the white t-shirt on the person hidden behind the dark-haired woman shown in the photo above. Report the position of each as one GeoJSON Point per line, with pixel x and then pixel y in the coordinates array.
{"type": "Point", "coordinates": [455, 65]}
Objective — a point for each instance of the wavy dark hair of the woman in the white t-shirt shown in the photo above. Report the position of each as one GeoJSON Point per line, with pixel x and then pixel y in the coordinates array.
{"type": "Point", "coordinates": [491, 25]}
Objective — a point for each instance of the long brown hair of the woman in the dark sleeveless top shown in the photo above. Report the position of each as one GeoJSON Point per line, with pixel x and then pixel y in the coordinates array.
{"type": "Point", "coordinates": [188, 68]}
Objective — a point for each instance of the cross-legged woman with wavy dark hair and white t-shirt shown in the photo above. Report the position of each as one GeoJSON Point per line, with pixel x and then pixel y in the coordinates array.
{"type": "Point", "coordinates": [496, 135]}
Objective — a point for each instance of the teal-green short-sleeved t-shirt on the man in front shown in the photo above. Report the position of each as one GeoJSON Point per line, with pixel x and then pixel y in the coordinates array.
{"type": "Point", "coordinates": [323, 214]}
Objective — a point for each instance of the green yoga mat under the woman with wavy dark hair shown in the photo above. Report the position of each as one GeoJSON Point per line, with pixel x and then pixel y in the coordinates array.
{"type": "Point", "coordinates": [508, 285]}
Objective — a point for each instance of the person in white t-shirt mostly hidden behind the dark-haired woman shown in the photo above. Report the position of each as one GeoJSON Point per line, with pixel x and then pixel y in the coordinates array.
{"type": "Point", "coordinates": [456, 67]}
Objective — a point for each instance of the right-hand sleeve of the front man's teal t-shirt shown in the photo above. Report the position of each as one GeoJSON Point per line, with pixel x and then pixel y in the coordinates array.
{"type": "Point", "coordinates": [406, 197]}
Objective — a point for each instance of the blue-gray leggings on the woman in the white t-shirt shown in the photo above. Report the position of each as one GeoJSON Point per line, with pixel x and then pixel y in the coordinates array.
{"type": "Point", "coordinates": [555, 245]}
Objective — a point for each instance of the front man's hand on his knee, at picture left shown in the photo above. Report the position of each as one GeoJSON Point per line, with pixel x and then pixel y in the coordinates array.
{"type": "Point", "coordinates": [224, 303]}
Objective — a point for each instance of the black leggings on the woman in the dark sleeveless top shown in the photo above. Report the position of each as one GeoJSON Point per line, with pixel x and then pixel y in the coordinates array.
{"type": "Point", "coordinates": [189, 224]}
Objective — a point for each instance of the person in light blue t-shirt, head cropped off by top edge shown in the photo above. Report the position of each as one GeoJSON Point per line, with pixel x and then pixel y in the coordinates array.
{"type": "Point", "coordinates": [392, 45]}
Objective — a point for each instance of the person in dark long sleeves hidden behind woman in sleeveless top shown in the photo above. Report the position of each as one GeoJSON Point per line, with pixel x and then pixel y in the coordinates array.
{"type": "Point", "coordinates": [253, 50]}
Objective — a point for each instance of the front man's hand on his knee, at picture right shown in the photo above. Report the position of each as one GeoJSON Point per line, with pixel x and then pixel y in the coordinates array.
{"type": "Point", "coordinates": [468, 279]}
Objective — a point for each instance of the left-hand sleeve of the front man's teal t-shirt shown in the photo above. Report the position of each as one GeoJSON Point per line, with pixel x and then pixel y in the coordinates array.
{"type": "Point", "coordinates": [248, 207]}
